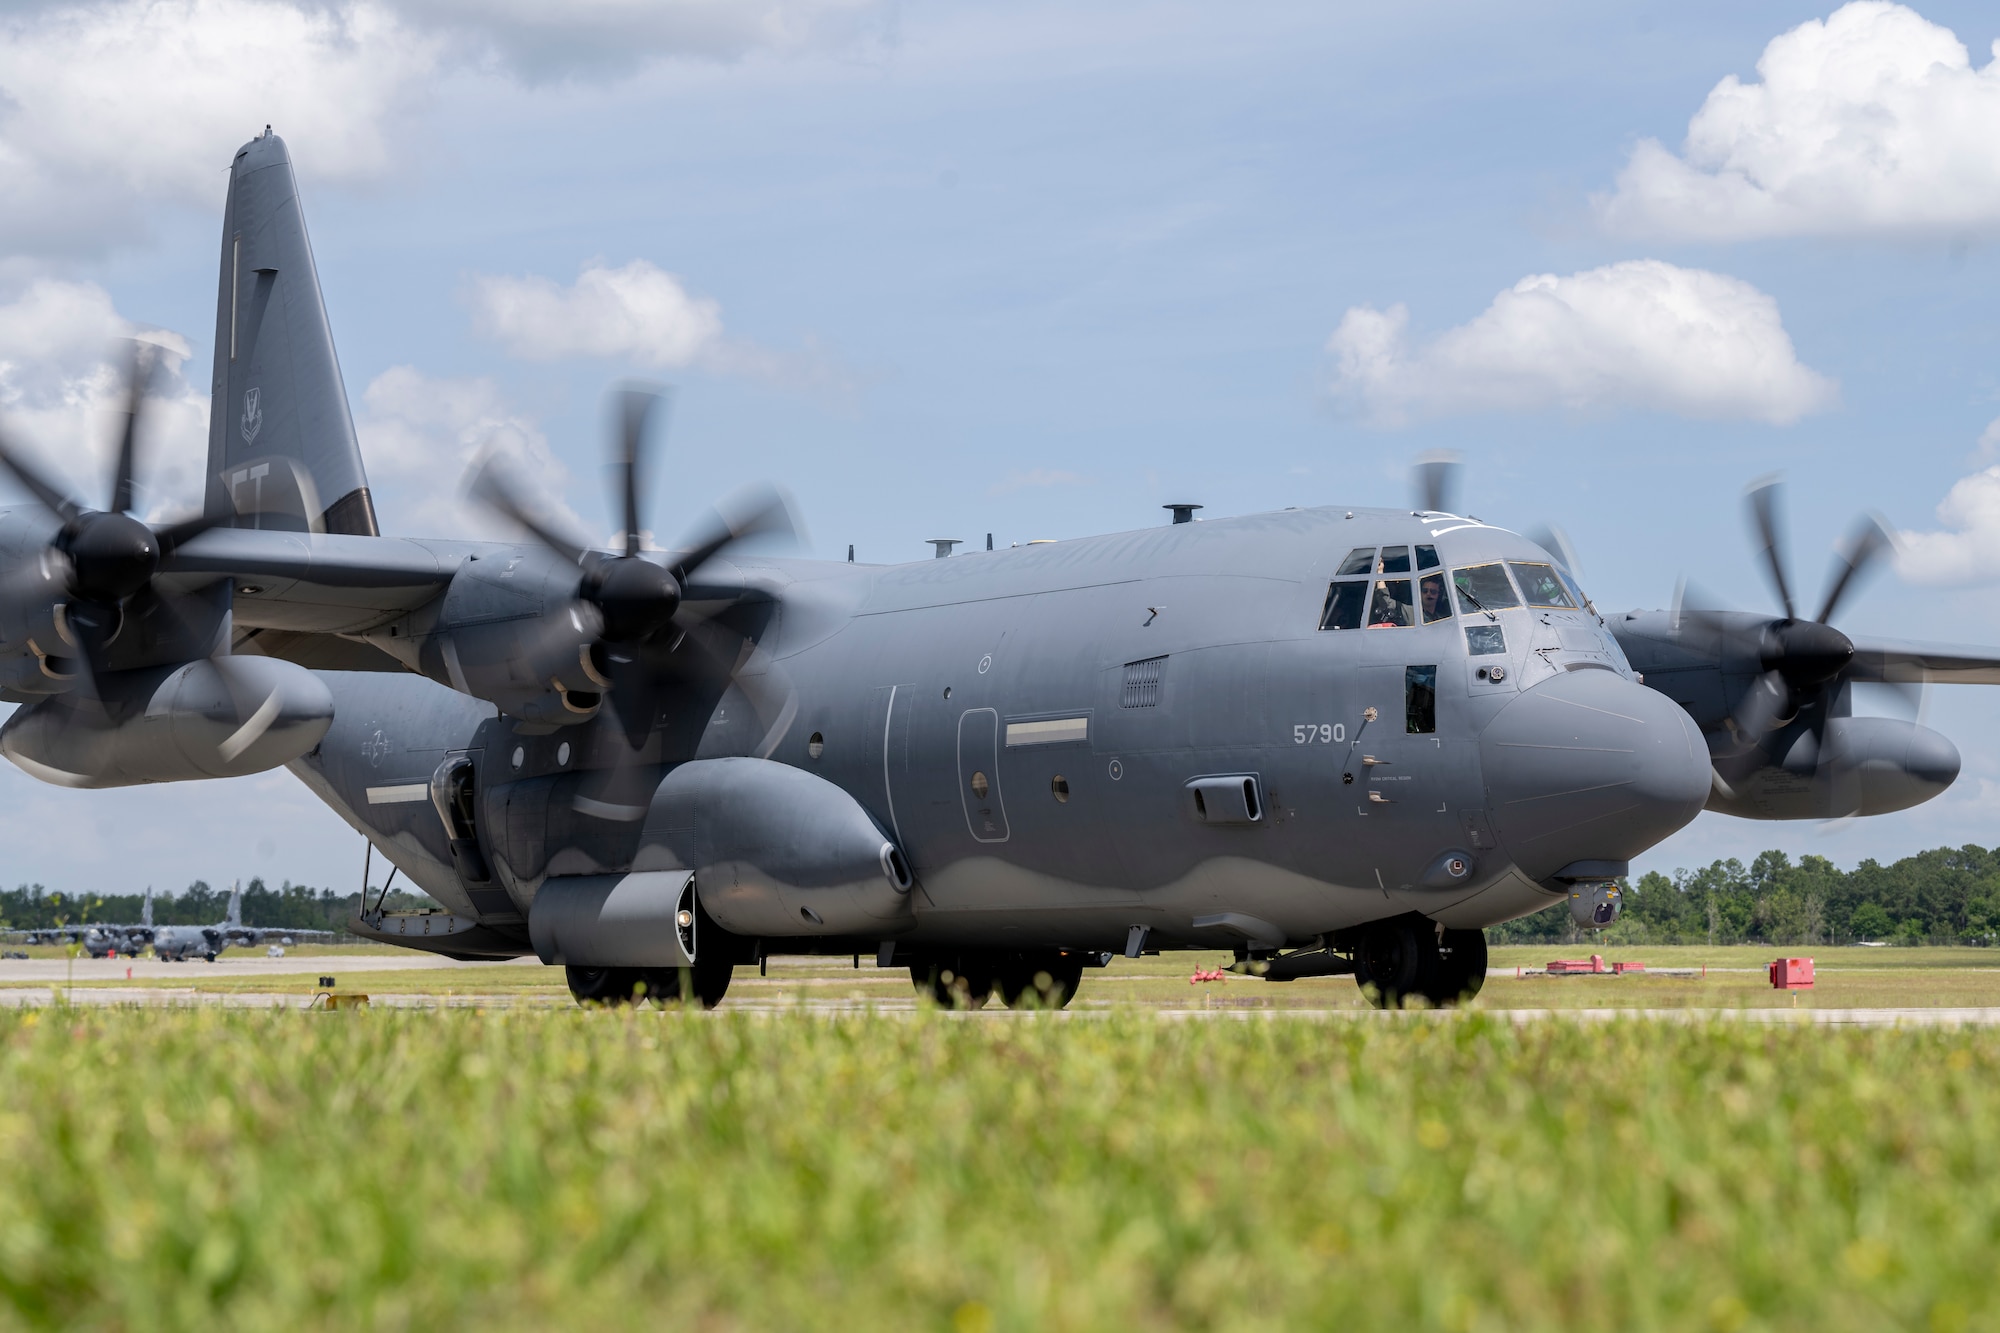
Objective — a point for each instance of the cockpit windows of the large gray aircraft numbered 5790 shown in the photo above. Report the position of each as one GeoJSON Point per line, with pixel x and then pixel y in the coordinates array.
{"type": "Point", "coordinates": [1405, 587]}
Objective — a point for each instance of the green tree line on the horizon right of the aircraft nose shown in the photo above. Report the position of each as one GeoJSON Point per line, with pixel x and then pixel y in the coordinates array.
{"type": "Point", "coordinates": [1949, 896]}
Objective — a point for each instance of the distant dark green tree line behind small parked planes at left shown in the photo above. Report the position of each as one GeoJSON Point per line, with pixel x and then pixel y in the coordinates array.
{"type": "Point", "coordinates": [297, 908]}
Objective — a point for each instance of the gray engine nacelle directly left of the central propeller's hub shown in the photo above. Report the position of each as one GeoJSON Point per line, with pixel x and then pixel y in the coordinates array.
{"type": "Point", "coordinates": [515, 635]}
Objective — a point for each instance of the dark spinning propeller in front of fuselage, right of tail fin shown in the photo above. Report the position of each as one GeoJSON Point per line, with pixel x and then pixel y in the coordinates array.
{"type": "Point", "coordinates": [629, 605]}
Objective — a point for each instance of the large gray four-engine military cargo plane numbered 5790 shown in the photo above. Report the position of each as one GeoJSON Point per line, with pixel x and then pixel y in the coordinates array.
{"type": "Point", "coordinates": [1329, 740]}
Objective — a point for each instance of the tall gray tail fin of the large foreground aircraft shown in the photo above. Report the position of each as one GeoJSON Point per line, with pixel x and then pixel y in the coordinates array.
{"type": "Point", "coordinates": [281, 439]}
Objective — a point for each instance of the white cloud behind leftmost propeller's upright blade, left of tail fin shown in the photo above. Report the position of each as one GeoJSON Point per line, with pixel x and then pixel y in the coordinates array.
{"type": "Point", "coordinates": [63, 397]}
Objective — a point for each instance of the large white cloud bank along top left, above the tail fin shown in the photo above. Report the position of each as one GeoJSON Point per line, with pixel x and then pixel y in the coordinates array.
{"type": "Point", "coordinates": [113, 107]}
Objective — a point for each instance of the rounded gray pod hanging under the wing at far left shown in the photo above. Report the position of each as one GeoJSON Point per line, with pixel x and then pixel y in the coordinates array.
{"type": "Point", "coordinates": [217, 718]}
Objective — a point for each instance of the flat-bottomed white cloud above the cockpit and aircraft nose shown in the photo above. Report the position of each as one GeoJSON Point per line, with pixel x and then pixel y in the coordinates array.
{"type": "Point", "coordinates": [1635, 335]}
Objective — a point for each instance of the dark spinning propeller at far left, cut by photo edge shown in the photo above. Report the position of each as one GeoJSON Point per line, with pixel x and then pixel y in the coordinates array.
{"type": "Point", "coordinates": [101, 565]}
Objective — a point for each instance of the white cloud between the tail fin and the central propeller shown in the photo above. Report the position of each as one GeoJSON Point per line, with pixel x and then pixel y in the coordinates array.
{"type": "Point", "coordinates": [419, 437]}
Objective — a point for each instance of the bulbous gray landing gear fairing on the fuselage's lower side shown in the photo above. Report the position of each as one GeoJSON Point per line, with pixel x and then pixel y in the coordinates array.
{"type": "Point", "coordinates": [777, 852]}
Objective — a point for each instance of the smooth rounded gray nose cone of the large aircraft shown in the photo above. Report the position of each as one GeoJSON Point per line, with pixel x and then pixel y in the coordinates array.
{"type": "Point", "coordinates": [1591, 768]}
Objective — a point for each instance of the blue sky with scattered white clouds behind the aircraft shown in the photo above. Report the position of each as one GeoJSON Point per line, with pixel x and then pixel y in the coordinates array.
{"type": "Point", "coordinates": [963, 269]}
